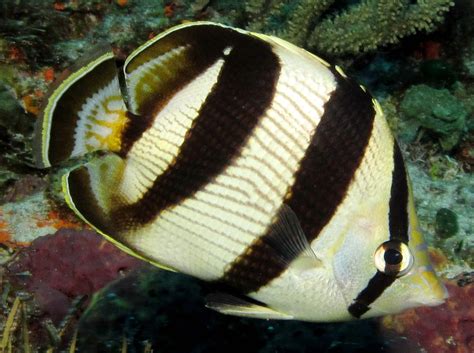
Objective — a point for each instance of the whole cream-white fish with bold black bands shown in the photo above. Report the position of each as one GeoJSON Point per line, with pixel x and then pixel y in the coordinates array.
{"type": "Point", "coordinates": [243, 160]}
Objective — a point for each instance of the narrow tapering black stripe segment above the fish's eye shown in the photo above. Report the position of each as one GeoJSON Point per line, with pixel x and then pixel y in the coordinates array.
{"type": "Point", "coordinates": [398, 206]}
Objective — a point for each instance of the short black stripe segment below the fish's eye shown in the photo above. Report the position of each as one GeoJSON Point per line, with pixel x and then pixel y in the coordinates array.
{"type": "Point", "coordinates": [371, 292]}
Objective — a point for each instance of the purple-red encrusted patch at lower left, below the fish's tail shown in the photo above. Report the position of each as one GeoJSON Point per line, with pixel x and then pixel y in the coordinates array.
{"type": "Point", "coordinates": [60, 267]}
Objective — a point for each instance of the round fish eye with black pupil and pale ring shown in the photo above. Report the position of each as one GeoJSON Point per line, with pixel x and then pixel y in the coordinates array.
{"type": "Point", "coordinates": [393, 258]}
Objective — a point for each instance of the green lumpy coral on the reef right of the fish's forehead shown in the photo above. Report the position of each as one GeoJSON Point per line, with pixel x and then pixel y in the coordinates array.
{"type": "Point", "coordinates": [436, 110]}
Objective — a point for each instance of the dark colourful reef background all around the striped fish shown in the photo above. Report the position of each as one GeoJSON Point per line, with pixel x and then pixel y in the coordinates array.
{"type": "Point", "coordinates": [63, 288]}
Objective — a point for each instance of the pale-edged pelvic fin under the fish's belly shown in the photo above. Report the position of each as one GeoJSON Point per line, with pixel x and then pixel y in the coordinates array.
{"type": "Point", "coordinates": [230, 305]}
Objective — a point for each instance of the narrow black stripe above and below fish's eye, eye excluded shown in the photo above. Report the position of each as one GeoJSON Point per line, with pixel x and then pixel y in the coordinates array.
{"type": "Point", "coordinates": [398, 227]}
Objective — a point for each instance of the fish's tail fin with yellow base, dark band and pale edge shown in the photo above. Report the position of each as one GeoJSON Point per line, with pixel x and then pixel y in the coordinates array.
{"type": "Point", "coordinates": [85, 112]}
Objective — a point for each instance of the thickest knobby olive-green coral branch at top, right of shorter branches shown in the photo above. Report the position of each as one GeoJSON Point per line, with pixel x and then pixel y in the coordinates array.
{"type": "Point", "coordinates": [374, 23]}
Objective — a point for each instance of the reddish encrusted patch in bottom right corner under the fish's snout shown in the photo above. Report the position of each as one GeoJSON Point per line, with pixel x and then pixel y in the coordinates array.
{"type": "Point", "coordinates": [448, 328]}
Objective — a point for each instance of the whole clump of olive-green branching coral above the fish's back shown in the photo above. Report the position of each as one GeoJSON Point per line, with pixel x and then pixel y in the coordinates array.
{"type": "Point", "coordinates": [359, 28]}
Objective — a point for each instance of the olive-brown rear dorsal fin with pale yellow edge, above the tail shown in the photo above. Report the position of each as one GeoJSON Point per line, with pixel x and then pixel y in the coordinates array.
{"type": "Point", "coordinates": [168, 62]}
